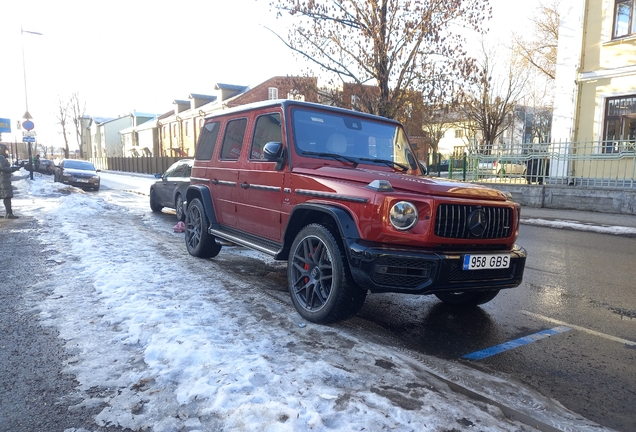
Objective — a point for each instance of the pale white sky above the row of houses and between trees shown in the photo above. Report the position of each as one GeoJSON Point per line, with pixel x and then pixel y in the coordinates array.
{"type": "Point", "coordinates": [140, 55]}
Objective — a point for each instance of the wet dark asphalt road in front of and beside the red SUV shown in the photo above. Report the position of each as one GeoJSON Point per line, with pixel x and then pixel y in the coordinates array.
{"type": "Point", "coordinates": [584, 281]}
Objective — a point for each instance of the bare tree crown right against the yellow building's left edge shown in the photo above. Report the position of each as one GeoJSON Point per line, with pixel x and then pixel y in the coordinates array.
{"type": "Point", "coordinates": [540, 50]}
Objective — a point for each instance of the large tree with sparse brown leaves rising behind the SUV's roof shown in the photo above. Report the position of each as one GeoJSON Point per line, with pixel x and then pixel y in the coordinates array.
{"type": "Point", "coordinates": [399, 47]}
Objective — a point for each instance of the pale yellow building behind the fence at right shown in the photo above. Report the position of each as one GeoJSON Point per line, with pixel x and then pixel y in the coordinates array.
{"type": "Point", "coordinates": [595, 102]}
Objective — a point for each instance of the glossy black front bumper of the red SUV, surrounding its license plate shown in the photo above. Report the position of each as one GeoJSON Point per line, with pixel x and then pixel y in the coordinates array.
{"type": "Point", "coordinates": [385, 269]}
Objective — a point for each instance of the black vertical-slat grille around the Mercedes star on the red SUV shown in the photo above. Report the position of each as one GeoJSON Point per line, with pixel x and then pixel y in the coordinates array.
{"type": "Point", "coordinates": [451, 221]}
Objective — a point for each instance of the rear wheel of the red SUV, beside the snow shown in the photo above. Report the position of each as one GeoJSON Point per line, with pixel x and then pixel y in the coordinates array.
{"type": "Point", "coordinates": [198, 241]}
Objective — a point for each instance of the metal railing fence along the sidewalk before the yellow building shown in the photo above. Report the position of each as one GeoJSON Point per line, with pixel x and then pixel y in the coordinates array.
{"type": "Point", "coordinates": [597, 164]}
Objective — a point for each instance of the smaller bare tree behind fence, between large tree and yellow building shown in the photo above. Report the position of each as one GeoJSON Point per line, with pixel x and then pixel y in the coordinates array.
{"type": "Point", "coordinates": [489, 105]}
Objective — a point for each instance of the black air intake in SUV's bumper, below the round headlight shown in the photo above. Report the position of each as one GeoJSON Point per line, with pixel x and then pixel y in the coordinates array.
{"type": "Point", "coordinates": [401, 272]}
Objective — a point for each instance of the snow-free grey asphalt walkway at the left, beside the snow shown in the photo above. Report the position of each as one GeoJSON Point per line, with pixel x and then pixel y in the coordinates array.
{"type": "Point", "coordinates": [35, 395]}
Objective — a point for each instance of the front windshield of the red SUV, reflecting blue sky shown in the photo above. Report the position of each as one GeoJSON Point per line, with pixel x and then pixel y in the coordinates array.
{"type": "Point", "coordinates": [322, 134]}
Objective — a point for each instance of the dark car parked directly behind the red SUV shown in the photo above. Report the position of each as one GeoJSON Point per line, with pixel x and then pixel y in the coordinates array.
{"type": "Point", "coordinates": [170, 190]}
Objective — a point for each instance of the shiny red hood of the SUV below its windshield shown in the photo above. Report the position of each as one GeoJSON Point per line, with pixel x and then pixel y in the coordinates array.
{"type": "Point", "coordinates": [407, 183]}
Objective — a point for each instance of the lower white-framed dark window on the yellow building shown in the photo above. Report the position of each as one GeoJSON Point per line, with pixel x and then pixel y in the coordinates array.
{"type": "Point", "coordinates": [620, 124]}
